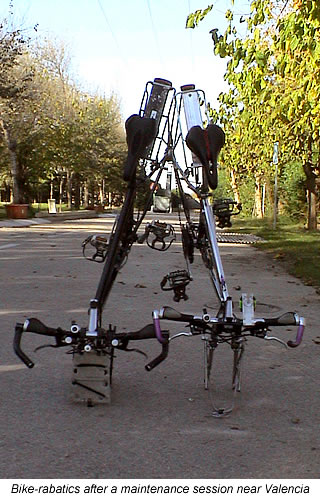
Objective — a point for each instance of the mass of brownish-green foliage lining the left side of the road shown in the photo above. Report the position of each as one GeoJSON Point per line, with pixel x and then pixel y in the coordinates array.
{"type": "Point", "coordinates": [50, 130]}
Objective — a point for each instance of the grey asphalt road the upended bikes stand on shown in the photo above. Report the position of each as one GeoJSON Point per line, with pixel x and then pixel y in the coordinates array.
{"type": "Point", "coordinates": [159, 424]}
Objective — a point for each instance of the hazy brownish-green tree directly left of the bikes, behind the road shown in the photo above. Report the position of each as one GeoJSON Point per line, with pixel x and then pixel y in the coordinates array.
{"type": "Point", "coordinates": [83, 133]}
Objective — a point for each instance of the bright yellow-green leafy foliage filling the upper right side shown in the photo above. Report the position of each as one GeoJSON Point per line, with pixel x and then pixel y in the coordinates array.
{"type": "Point", "coordinates": [274, 79]}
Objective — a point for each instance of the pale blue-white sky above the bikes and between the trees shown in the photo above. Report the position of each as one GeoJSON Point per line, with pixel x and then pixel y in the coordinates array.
{"type": "Point", "coordinates": [117, 46]}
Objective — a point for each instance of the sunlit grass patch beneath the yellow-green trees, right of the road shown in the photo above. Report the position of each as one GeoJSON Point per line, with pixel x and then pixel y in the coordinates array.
{"type": "Point", "coordinates": [290, 243]}
